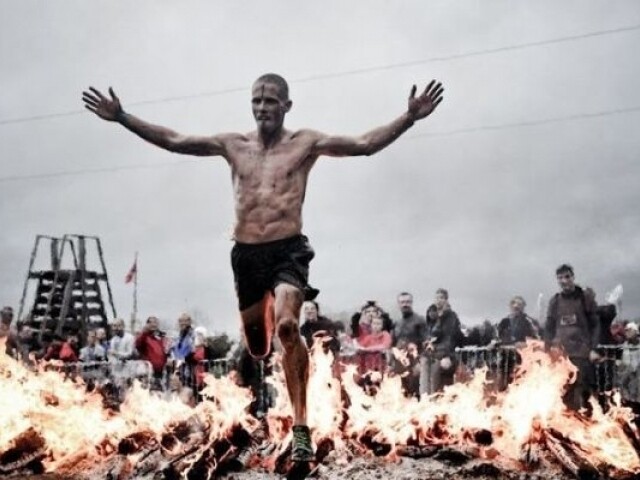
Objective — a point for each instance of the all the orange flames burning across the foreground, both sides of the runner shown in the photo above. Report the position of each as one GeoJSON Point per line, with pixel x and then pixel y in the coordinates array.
{"type": "Point", "coordinates": [78, 430]}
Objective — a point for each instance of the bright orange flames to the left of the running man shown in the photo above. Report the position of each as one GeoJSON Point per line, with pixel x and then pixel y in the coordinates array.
{"type": "Point", "coordinates": [72, 420]}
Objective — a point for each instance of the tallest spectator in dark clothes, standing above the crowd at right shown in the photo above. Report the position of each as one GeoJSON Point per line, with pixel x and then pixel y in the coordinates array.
{"type": "Point", "coordinates": [573, 327]}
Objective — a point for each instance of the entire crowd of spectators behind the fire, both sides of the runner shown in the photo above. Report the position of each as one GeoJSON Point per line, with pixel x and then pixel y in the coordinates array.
{"type": "Point", "coordinates": [428, 352]}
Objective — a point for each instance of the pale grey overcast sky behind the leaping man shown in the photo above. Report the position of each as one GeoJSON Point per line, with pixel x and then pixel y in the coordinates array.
{"type": "Point", "coordinates": [485, 212]}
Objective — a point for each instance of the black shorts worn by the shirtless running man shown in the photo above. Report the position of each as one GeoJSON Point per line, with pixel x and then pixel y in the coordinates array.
{"type": "Point", "coordinates": [259, 268]}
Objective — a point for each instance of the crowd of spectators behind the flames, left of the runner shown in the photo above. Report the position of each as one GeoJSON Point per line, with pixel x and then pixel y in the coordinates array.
{"type": "Point", "coordinates": [114, 356]}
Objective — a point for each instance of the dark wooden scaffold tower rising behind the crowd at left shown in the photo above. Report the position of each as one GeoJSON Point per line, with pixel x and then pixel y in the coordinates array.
{"type": "Point", "coordinates": [67, 299]}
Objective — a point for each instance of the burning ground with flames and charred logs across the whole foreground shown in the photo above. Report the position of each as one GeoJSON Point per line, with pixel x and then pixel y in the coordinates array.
{"type": "Point", "coordinates": [54, 426]}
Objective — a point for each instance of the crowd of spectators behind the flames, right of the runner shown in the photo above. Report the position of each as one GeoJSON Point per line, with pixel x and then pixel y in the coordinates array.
{"type": "Point", "coordinates": [430, 352]}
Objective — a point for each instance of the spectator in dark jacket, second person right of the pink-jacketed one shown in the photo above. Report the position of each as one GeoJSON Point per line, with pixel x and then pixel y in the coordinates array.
{"type": "Point", "coordinates": [438, 364]}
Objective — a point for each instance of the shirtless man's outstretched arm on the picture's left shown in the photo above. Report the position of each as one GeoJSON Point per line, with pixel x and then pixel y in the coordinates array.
{"type": "Point", "coordinates": [111, 110]}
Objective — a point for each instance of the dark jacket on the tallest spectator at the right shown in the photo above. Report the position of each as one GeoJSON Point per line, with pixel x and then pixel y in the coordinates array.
{"type": "Point", "coordinates": [573, 323]}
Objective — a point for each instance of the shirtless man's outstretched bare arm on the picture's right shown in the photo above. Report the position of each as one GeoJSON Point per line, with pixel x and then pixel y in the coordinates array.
{"type": "Point", "coordinates": [418, 108]}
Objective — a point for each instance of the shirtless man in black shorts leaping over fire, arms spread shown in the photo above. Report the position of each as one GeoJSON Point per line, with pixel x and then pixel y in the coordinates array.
{"type": "Point", "coordinates": [269, 168]}
